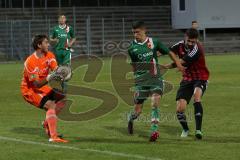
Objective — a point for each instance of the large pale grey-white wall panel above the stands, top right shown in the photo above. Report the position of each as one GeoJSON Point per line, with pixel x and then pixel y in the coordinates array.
{"type": "Point", "coordinates": [208, 13]}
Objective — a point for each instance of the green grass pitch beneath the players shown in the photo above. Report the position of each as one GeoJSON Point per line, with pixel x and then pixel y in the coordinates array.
{"type": "Point", "coordinates": [106, 138]}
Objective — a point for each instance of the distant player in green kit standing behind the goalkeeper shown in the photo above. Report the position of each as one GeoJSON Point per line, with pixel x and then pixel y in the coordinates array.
{"type": "Point", "coordinates": [63, 38]}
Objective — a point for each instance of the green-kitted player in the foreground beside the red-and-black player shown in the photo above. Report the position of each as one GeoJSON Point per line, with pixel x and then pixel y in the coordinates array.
{"type": "Point", "coordinates": [148, 80]}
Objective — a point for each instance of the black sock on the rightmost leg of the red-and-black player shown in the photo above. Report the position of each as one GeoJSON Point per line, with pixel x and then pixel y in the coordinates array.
{"type": "Point", "coordinates": [198, 111]}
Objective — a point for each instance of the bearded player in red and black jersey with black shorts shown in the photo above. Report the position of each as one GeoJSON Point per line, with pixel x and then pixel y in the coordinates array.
{"type": "Point", "coordinates": [194, 82]}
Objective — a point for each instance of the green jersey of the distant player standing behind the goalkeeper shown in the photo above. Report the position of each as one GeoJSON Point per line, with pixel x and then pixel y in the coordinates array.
{"type": "Point", "coordinates": [63, 35]}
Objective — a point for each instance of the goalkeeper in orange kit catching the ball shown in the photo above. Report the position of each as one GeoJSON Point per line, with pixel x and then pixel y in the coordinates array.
{"type": "Point", "coordinates": [34, 88]}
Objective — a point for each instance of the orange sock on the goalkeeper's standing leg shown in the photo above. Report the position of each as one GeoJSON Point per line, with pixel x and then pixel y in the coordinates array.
{"type": "Point", "coordinates": [51, 119]}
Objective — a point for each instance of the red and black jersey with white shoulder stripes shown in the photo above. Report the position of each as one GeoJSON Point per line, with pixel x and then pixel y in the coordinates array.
{"type": "Point", "coordinates": [196, 68]}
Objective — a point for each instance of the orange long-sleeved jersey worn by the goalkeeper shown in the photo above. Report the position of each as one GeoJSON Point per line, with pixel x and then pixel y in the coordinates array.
{"type": "Point", "coordinates": [36, 68]}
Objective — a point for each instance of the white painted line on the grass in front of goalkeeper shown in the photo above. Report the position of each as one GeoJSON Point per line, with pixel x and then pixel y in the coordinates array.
{"type": "Point", "coordinates": [106, 152]}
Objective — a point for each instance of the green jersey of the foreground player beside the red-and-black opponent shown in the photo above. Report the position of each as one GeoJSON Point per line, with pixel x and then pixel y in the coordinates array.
{"type": "Point", "coordinates": [144, 58]}
